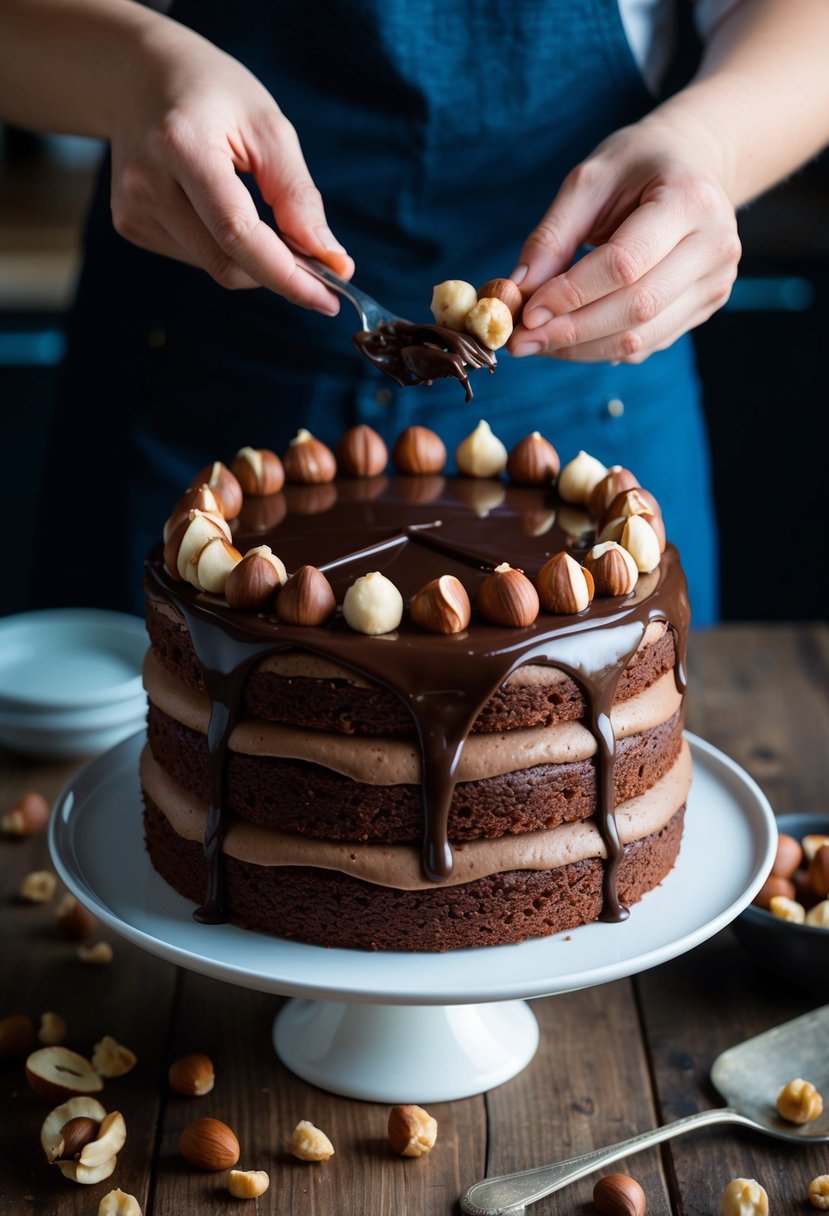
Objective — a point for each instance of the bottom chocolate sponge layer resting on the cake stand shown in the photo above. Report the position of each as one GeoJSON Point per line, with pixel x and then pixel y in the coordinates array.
{"type": "Point", "coordinates": [330, 909]}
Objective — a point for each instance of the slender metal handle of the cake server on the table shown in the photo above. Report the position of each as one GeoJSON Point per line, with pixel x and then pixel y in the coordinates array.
{"type": "Point", "coordinates": [510, 1194]}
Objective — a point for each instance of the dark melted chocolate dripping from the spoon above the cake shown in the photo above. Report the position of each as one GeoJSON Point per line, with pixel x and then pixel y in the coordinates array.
{"type": "Point", "coordinates": [419, 354]}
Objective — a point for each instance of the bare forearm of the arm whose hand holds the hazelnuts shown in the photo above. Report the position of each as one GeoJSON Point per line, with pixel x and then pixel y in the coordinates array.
{"type": "Point", "coordinates": [759, 106]}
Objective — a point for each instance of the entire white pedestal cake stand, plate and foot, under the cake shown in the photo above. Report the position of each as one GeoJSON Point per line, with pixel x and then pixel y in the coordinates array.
{"type": "Point", "coordinates": [413, 1028]}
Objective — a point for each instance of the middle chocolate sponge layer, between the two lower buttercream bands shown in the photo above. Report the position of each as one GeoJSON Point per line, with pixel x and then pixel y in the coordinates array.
{"type": "Point", "coordinates": [300, 797]}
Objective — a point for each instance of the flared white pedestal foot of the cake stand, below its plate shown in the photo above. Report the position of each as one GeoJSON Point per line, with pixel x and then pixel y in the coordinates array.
{"type": "Point", "coordinates": [405, 1054]}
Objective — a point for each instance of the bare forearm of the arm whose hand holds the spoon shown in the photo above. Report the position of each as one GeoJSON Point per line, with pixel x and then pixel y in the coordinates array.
{"type": "Point", "coordinates": [67, 66]}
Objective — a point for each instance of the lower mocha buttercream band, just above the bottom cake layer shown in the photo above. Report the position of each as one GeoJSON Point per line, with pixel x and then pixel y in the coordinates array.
{"type": "Point", "coordinates": [401, 866]}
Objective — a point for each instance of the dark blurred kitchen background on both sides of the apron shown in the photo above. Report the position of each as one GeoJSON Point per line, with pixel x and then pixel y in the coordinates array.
{"type": "Point", "coordinates": [763, 359]}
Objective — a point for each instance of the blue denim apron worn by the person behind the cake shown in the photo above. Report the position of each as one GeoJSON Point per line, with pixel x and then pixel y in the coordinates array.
{"type": "Point", "coordinates": [438, 136]}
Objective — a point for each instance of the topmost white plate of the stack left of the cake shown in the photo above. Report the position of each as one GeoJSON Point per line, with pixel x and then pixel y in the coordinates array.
{"type": "Point", "coordinates": [70, 658]}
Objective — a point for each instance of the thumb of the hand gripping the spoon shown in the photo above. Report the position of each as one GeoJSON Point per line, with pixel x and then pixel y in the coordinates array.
{"type": "Point", "coordinates": [298, 209]}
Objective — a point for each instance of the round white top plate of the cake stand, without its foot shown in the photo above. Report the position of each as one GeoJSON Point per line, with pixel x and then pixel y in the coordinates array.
{"type": "Point", "coordinates": [97, 840]}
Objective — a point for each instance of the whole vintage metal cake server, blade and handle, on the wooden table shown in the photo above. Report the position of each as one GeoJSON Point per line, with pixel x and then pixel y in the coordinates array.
{"type": "Point", "coordinates": [748, 1077]}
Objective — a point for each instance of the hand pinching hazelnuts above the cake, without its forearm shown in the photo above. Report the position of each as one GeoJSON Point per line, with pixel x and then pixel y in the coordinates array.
{"type": "Point", "coordinates": [664, 258]}
